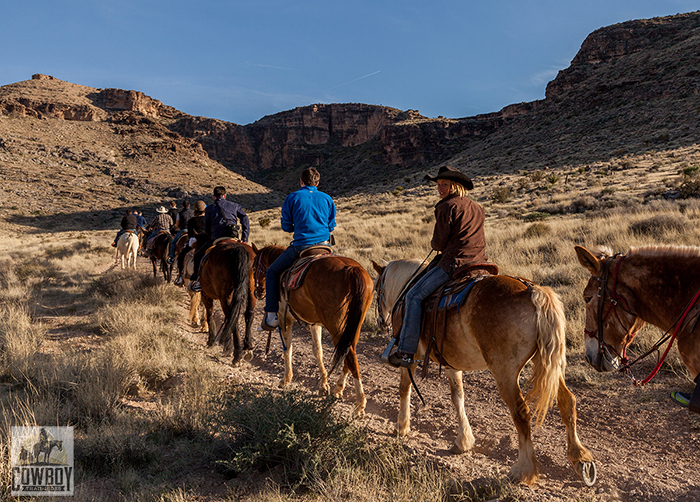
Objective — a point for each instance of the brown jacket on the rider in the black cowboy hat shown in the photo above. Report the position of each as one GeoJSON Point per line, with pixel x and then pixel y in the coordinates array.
{"type": "Point", "coordinates": [459, 232]}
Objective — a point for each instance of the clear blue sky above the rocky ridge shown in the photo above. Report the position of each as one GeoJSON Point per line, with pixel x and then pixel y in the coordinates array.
{"type": "Point", "coordinates": [241, 60]}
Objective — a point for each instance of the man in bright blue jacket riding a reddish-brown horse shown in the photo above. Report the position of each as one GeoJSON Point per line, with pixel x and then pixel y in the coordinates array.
{"type": "Point", "coordinates": [310, 215]}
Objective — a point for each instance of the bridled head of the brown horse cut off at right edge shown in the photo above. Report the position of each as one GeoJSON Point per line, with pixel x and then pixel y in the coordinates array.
{"type": "Point", "coordinates": [611, 321]}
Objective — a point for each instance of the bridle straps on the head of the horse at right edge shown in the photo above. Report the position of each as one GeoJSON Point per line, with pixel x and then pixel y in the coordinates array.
{"type": "Point", "coordinates": [615, 300]}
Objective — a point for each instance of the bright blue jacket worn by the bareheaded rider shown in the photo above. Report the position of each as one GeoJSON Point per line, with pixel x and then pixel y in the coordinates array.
{"type": "Point", "coordinates": [310, 214]}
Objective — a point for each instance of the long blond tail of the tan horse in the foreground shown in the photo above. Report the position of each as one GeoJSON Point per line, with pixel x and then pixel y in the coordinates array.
{"type": "Point", "coordinates": [550, 356]}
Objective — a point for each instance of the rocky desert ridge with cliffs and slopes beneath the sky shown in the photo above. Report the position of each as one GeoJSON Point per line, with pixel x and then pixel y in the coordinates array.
{"type": "Point", "coordinates": [632, 87]}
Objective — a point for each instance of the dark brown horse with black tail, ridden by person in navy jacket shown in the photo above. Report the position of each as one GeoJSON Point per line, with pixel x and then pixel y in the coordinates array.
{"type": "Point", "coordinates": [226, 275]}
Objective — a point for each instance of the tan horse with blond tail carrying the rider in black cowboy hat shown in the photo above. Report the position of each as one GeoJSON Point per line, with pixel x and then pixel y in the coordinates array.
{"type": "Point", "coordinates": [504, 323]}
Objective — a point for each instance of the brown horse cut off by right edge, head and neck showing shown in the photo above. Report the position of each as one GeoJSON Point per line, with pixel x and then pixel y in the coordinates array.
{"type": "Point", "coordinates": [655, 284]}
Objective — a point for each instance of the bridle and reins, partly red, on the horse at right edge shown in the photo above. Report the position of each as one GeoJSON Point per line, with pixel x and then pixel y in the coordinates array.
{"type": "Point", "coordinates": [615, 299]}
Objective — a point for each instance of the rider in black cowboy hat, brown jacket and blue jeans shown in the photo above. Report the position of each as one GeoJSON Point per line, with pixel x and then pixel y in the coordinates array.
{"type": "Point", "coordinates": [459, 237]}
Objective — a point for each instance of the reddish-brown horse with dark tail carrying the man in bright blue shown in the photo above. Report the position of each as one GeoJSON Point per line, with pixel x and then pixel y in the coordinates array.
{"type": "Point", "coordinates": [336, 293]}
